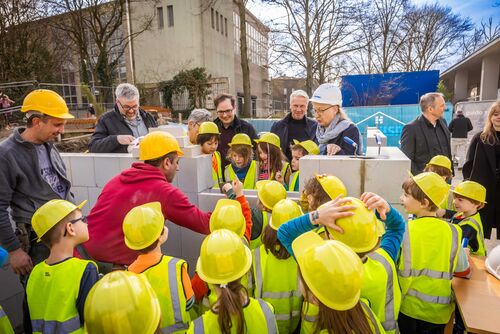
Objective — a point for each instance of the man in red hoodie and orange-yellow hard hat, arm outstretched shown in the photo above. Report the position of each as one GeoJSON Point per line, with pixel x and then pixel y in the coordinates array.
{"type": "Point", "coordinates": [144, 182]}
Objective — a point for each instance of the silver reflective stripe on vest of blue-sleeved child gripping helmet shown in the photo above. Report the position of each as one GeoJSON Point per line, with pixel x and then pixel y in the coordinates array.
{"type": "Point", "coordinates": [389, 314]}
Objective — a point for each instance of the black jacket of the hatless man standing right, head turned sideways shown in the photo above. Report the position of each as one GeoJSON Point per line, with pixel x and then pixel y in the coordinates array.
{"type": "Point", "coordinates": [417, 143]}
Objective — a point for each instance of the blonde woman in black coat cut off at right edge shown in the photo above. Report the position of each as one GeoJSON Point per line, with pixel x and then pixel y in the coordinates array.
{"type": "Point", "coordinates": [483, 166]}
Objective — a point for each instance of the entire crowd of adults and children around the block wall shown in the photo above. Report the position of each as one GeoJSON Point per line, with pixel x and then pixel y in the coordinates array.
{"type": "Point", "coordinates": [328, 263]}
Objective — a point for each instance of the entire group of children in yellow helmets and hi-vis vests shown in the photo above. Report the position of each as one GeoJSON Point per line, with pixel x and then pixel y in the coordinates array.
{"type": "Point", "coordinates": [328, 264]}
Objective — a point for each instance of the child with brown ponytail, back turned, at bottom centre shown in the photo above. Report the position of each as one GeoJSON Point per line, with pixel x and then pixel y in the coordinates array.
{"type": "Point", "coordinates": [223, 260]}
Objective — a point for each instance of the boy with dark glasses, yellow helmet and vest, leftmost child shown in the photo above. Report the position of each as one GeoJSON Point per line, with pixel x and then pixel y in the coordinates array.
{"type": "Point", "coordinates": [57, 287]}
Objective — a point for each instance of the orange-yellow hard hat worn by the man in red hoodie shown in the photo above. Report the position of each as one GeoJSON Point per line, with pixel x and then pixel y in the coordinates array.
{"type": "Point", "coordinates": [156, 144]}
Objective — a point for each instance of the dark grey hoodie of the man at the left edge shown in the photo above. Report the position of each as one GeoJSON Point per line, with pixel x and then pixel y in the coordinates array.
{"type": "Point", "coordinates": [22, 187]}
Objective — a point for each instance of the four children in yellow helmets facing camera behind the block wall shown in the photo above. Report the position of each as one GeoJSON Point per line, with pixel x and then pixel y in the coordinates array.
{"type": "Point", "coordinates": [271, 163]}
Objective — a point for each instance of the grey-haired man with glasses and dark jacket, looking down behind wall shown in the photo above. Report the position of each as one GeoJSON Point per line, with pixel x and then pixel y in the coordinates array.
{"type": "Point", "coordinates": [116, 129]}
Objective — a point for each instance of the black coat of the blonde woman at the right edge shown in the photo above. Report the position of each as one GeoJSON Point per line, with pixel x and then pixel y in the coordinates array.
{"type": "Point", "coordinates": [480, 166]}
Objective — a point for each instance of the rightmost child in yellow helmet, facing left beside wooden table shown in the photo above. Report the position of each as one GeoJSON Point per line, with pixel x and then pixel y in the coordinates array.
{"type": "Point", "coordinates": [468, 198]}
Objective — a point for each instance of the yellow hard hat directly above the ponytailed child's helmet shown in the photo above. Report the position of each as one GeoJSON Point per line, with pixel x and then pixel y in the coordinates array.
{"type": "Point", "coordinates": [227, 214]}
